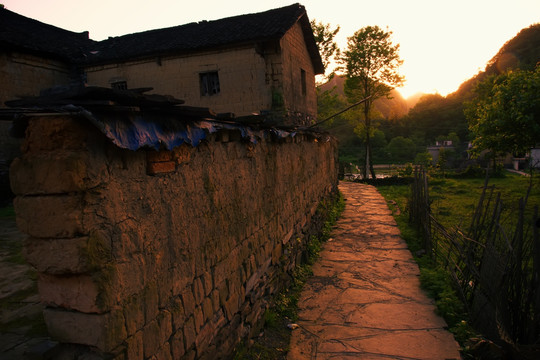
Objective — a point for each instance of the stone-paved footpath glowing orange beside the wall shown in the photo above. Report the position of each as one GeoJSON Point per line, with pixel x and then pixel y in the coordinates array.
{"type": "Point", "coordinates": [364, 300]}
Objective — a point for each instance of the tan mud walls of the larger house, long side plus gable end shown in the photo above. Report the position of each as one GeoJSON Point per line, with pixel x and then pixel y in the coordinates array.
{"type": "Point", "coordinates": [251, 80]}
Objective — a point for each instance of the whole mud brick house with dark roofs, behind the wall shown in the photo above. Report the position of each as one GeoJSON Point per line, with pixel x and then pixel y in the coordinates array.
{"type": "Point", "coordinates": [256, 63]}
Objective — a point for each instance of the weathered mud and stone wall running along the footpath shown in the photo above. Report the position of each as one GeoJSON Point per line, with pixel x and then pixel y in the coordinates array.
{"type": "Point", "coordinates": [163, 255]}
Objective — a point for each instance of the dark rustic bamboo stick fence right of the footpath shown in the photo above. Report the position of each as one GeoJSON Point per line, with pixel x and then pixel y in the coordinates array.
{"type": "Point", "coordinates": [494, 262]}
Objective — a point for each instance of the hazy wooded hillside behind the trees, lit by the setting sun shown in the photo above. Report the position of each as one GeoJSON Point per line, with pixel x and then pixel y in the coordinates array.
{"type": "Point", "coordinates": [432, 115]}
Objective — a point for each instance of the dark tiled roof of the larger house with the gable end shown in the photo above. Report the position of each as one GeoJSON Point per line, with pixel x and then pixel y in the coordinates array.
{"type": "Point", "coordinates": [242, 29]}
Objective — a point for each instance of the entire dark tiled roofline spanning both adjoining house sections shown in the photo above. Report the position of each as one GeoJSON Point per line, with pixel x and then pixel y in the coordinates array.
{"type": "Point", "coordinates": [19, 32]}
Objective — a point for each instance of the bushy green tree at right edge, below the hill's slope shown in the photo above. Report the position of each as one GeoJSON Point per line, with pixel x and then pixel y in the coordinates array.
{"type": "Point", "coordinates": [505, 115]}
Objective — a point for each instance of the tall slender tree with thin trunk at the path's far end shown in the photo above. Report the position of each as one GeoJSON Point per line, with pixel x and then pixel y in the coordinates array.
{"type": "Point", "coordinates": [371, 64]}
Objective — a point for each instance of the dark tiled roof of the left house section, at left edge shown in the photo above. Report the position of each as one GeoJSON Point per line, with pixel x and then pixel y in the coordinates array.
{"type": "Point", "coordinates": [21, 33]}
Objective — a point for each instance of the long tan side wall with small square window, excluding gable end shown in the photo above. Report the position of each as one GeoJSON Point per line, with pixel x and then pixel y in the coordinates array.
{"type": "Point", "coordinates": [241, 76]}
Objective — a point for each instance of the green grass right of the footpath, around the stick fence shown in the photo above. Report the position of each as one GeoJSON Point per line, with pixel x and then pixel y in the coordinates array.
{"type": "Point", "coordinates": [453, 203]}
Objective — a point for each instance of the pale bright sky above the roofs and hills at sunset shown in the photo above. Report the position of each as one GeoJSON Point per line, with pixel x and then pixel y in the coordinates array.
{"type": "Point", "coordinates": [442, 43]}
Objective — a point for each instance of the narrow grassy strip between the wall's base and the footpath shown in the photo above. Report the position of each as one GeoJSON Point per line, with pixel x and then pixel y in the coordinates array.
{"type": "Point", "coordinates": [274, 344]}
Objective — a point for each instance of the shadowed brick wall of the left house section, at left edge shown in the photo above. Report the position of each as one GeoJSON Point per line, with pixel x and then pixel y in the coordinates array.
{"type": "Point", "coordinates": [26, 75]}
